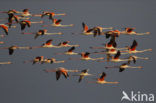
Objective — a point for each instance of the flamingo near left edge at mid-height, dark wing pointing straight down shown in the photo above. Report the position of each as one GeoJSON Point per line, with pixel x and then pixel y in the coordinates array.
{"type": "Point", "coordinates": [12, 48]}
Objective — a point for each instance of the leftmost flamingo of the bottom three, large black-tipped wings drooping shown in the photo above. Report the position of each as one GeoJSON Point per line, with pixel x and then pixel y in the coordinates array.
{"type": "Point", "coordinates": [60, 71]}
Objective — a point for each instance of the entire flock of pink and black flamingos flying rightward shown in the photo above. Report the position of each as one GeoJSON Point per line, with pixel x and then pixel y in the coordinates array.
{"type": "Point", "coordinates": [110, 52]}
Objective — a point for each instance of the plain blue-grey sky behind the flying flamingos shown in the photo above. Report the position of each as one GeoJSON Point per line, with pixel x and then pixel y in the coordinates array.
{"type": "Point", "coordinates": [27, 83]}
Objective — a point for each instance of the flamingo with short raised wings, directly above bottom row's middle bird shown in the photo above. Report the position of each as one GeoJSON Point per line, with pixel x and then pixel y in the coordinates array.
{"type": "Point", "coordinates": [85, 56]}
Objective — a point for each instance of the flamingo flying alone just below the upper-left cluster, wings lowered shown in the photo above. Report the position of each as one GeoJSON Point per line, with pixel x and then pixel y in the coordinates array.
{"type": "Point", "coordinates": [42, 32]}
